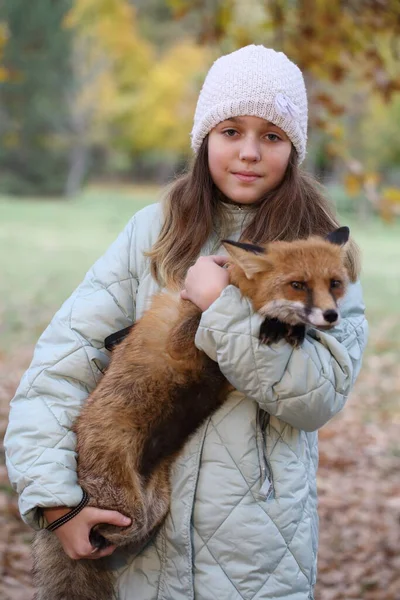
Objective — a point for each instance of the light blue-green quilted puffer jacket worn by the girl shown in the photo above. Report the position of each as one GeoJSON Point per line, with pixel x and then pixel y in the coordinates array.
{"type": "Point", "coordinates": [243, 521]}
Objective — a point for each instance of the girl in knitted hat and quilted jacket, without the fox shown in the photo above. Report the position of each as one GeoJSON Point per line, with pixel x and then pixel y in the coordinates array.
{"type": "Point", "coordinates": [243, 520]}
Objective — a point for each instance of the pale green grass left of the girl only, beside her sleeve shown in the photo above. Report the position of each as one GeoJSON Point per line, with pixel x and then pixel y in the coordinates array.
{"type": "Point", "coordinates": [46, 247]}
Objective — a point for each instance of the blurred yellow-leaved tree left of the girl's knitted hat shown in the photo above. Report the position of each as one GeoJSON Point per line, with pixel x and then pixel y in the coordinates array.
{"type": "Point", "coordinates": [131, 99]}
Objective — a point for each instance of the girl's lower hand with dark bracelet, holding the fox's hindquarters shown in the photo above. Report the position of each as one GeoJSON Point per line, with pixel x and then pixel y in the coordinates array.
{"type": "Point", "coordinates": [74, 535]}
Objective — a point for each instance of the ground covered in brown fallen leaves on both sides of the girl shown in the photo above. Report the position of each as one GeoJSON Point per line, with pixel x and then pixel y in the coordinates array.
{"type": "Point", "coordinates": [359, 491]}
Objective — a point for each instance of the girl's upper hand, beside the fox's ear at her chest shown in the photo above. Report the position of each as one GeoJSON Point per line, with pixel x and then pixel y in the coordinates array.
{"type": "Point", "coordinates": [205, 281]}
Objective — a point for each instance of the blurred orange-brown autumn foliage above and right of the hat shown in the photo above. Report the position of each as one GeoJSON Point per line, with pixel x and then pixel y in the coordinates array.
{"type": "Point", "coordinates": [329, 40]}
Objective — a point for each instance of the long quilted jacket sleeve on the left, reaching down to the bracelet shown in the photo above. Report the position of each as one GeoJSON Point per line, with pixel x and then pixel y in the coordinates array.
{"type": "Point", "coordinates": [67, 363]}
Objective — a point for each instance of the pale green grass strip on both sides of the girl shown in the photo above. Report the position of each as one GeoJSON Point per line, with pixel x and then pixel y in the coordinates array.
{"type": "Point", "coordinates": [46, 247]}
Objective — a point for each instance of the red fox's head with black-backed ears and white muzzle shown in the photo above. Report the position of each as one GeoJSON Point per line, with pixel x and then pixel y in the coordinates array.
{"type": "Point", "coordinates": [297, 282]}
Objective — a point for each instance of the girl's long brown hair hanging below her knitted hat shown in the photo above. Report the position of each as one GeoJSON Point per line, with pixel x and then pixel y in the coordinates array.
{"type": "Point", "coordinates": [193, 206]}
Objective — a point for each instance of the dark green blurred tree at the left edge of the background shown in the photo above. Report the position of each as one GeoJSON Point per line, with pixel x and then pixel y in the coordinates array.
{"type": "Point", "coordinates": [33, 103]}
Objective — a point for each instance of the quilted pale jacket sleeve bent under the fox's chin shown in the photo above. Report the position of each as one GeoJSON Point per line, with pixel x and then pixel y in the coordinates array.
{"type": "Point", "coordinates": [304, 387]}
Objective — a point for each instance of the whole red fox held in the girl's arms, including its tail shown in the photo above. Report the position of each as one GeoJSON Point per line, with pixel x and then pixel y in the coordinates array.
{"type": "Point", "coordinates": [159, 388]}
